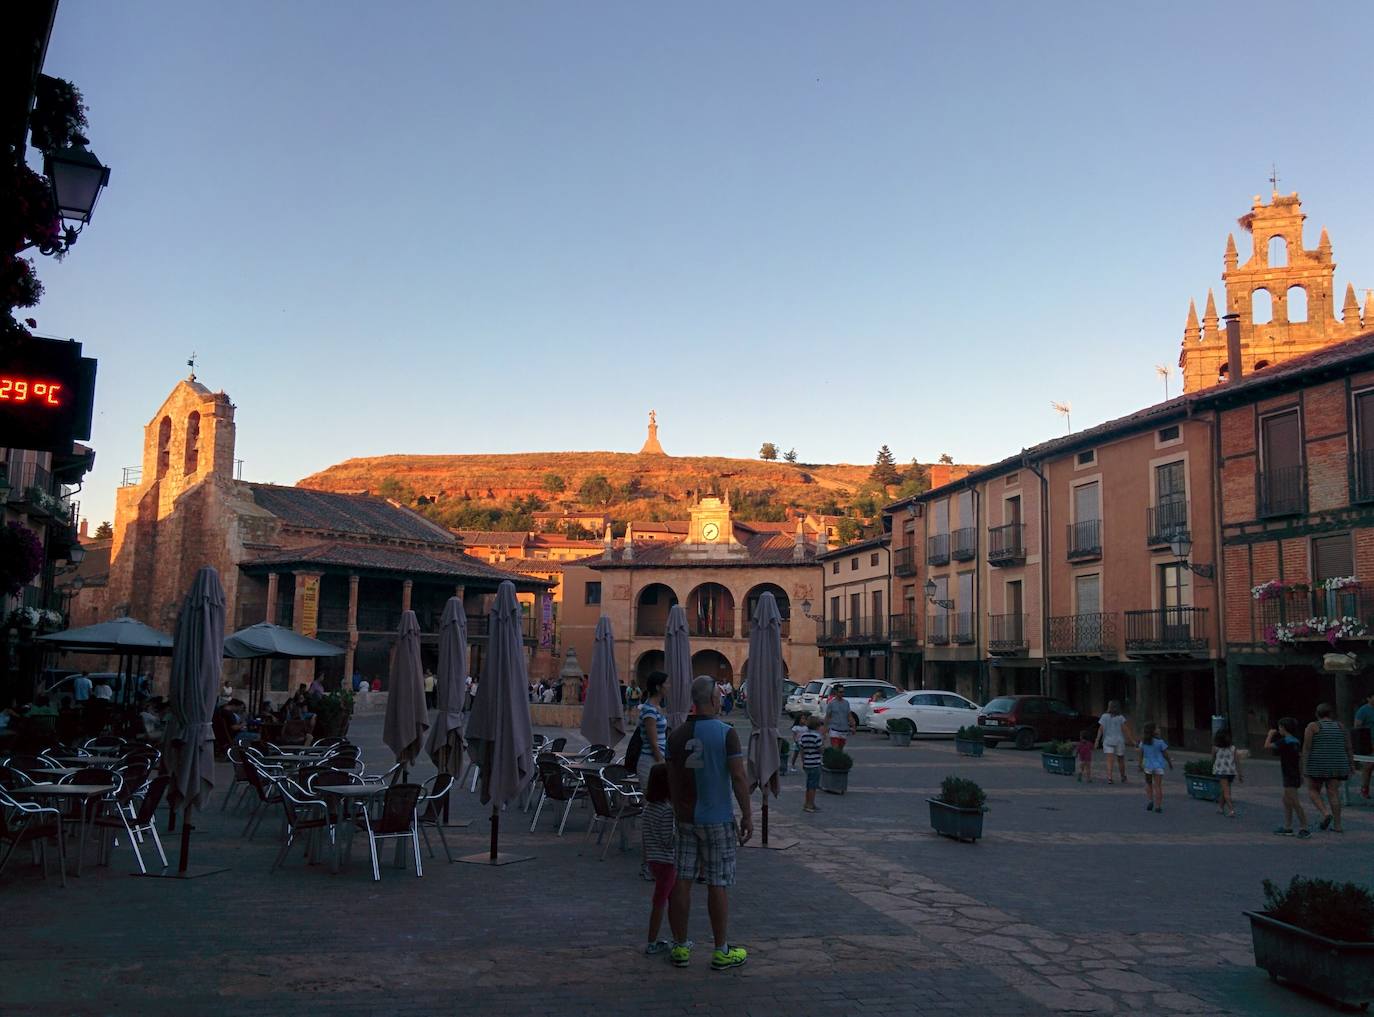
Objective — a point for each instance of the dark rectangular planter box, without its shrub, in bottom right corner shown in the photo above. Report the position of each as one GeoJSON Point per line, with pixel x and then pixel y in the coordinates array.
{"type": "Point", "coordinates": [1340, 971]}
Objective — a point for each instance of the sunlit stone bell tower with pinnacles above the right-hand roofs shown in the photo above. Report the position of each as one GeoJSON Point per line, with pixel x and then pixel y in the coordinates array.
{"type": "Point", "coordinates": [1284, 298]}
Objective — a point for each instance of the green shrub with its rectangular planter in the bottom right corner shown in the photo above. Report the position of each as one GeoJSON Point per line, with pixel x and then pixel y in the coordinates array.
{"type": "Point", "coordinates": [1318, 935]}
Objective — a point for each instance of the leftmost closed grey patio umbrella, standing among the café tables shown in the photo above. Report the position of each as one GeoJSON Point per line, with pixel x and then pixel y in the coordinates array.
{"type": "Point", "coordinates": [197, 664]}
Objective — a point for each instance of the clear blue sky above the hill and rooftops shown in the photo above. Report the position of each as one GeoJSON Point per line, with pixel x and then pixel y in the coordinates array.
{"type": "Point", "coordinates": [440, 227]}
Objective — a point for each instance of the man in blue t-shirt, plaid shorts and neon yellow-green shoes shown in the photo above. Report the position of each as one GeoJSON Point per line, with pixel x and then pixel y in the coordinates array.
{"type": "Point", "coordinates": [706, 769]}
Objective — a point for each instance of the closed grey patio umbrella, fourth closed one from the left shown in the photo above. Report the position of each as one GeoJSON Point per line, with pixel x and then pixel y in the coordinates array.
{"type": "Point", "coordinates": [499, 737]}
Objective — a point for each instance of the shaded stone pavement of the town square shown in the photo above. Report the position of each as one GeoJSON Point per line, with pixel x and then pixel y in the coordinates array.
{"type": "Point", "coordinates": [1075, 901]}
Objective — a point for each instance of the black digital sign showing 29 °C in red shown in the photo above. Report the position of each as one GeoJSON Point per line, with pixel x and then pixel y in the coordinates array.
{"type": "Point", "coordinates": [47, 392]}
